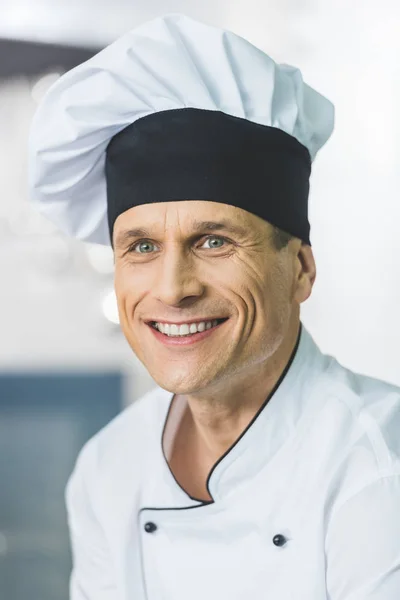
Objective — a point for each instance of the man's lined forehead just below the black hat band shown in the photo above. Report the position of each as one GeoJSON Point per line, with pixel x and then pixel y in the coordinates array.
{"type": "Point", "coordinates": [186, 217]}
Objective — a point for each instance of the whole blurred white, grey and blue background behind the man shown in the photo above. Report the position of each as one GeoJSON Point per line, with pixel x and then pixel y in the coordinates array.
{"type": "Point", "coordinates": [65, 367]}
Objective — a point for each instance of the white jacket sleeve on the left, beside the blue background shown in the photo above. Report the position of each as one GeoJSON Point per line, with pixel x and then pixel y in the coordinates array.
{"type": "Point", "coordinates": [92, 576]}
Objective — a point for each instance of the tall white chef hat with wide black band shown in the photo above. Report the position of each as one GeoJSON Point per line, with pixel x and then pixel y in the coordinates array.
{"type": "Point", "coordinates": [176, 110]}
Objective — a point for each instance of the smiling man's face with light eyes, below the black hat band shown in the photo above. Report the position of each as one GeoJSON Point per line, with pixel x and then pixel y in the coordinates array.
{"type": "Point", "coordinates": [178, 272]}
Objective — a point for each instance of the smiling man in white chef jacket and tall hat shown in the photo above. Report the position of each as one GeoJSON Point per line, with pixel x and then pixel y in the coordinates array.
{"type": "Point", "coordinates": [258, 467]}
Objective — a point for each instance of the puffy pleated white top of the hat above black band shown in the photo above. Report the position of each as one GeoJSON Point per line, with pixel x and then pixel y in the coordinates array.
{"type": "Point", "coordinates": [170, 63]}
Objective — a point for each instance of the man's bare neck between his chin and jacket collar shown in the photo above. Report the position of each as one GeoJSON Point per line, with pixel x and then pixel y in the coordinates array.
{"type": "Point", "coordinates": [217, 420]}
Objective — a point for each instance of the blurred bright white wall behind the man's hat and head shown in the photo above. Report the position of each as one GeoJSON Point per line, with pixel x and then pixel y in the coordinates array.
{"type": "Point", "coordinates": [50, 296]}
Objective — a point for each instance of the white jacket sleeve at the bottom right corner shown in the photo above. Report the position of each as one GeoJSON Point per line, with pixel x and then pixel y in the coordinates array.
{"type": "Point", "coordinates": [363, 544]}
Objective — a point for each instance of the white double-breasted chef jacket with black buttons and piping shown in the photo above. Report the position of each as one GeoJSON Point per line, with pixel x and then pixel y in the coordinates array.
{"type": "Point", "coordinates": [306, 504]}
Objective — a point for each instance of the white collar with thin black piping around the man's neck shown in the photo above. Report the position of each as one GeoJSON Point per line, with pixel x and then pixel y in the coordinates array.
{"type": "Point", "coordinates": [283, 415]}
